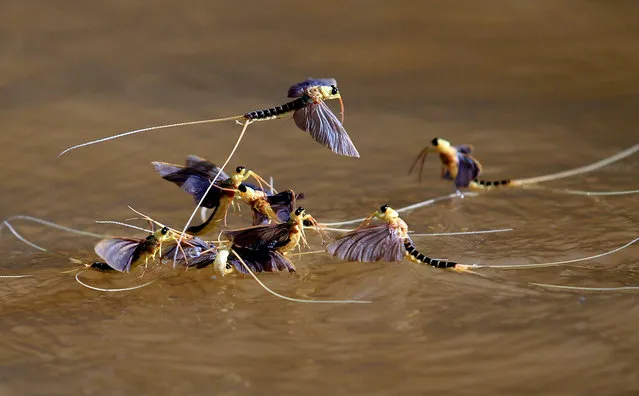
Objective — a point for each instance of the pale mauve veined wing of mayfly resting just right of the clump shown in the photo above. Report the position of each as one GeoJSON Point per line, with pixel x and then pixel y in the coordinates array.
{"type": "Point", "coordinates": [369, 244]}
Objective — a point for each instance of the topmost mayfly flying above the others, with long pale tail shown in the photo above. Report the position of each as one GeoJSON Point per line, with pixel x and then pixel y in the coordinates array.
{"type": "Point", "coordinates": [310, 113]}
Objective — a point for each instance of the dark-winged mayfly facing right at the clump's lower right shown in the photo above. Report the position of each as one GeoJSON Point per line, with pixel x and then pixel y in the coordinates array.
{"type": "Point", "coordinates": [263, 247]}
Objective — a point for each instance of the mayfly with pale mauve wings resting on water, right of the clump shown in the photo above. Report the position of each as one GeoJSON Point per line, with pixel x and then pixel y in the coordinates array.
{"type": "Point", "coordinates": [385, 241]}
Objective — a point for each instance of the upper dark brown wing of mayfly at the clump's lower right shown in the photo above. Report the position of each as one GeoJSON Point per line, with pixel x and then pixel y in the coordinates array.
{"type": "Point", "coordinates": [270, 236]}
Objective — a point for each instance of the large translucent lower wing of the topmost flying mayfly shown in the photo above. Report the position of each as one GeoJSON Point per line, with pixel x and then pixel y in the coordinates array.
{"type": "Point", "coordinates": [318, 120]}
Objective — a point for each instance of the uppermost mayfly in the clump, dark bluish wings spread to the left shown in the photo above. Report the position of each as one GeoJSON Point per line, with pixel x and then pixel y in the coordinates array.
{"type": "Point", "coordinates": [195, 178]}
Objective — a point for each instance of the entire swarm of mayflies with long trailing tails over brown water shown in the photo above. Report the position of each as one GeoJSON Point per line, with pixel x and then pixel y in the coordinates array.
{"type": "Point", "coordinates": [278, 224]}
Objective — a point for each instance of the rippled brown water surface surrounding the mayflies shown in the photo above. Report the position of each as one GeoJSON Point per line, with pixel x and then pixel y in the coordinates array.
{"type": "Point", "coordinates": [537, 87]}
